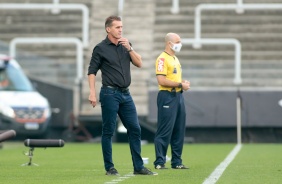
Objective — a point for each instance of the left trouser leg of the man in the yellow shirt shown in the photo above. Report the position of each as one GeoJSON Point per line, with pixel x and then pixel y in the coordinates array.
{"type": "Point", "coordinates": [166, 120]}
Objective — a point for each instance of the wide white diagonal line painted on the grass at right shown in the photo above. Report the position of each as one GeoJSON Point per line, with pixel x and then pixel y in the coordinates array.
{"type": "Point", "coordinates": [215, 175]}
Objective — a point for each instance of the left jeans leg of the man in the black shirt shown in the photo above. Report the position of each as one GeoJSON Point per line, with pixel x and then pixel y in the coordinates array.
{"type": "Point", "coordinates": [109, 104]}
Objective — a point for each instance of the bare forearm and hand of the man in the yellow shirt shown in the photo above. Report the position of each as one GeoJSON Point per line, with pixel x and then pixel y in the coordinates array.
{"type": "Point", "coordinates": [163, 81]}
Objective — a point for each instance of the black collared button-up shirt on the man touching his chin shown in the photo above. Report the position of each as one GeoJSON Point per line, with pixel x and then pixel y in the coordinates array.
{"type": "Point", "coordinates": [114, 63]}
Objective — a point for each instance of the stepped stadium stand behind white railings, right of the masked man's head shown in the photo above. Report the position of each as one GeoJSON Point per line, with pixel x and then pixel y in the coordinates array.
{"type": "Point", "coordinates": [259, 32]}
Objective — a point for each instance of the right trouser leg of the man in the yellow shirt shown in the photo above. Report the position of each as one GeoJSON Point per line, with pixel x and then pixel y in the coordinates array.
{"type": "Point", "coordinates": [178, 134]}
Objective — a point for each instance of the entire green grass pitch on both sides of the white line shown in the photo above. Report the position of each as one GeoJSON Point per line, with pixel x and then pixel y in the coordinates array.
{"type": "Point", "coordinates": [82, 163]}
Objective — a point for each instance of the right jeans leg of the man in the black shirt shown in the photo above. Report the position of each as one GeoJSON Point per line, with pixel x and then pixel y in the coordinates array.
{"type": "Point", "coordinates": [128, 115]}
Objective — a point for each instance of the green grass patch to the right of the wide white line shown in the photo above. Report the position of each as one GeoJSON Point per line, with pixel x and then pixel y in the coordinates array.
{"type": "Point", "coordinates": [255, 163]}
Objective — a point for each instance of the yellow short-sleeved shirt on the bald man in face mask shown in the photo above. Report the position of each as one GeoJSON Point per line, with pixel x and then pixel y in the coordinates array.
{"type": "Point", "coordinates": [170, 67]}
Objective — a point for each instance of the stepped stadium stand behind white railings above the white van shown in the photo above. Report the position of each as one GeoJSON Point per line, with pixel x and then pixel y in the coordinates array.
{"type": "Point", "coordinates": [50, 62]}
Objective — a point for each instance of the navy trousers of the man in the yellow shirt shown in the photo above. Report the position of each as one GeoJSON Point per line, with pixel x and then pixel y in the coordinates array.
{"type": "Point", "coordinates": [171, 127]}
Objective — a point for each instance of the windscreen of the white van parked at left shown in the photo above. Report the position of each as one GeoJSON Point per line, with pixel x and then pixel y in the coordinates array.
{"type": "Point", "coordinates": [13, 79]}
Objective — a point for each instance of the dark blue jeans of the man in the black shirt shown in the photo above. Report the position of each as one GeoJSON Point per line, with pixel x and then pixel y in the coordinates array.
{"type": "Point", "coordinates": [113, 102]}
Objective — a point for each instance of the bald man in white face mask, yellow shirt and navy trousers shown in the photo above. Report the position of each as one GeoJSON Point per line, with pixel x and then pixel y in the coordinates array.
{"type": "Point", "coordinates": [171, 107]}
